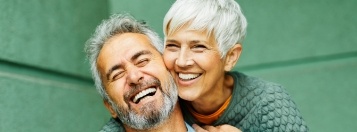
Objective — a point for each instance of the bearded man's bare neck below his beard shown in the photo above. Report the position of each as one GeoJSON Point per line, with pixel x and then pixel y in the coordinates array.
{"type": "Point", "coordinates": [174, 123]}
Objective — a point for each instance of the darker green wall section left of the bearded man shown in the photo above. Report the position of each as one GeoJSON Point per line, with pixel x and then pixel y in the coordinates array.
{"type": "Point", "coordinates": [45, 83]}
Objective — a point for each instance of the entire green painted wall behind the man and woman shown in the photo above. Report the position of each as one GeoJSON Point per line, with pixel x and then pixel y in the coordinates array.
{"type": "Point", "coordinates": [310, 47]}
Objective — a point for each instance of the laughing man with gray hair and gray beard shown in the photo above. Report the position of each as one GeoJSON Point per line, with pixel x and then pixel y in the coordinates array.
{"type": "Point", "coordinates": [131, 77]}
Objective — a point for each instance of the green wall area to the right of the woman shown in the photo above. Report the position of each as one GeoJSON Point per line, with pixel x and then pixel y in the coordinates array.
{"type": "Point", "coordinates": [310, 47]}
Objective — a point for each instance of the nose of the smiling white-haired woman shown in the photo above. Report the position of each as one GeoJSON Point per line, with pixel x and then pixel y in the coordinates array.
{"type": "Point", "coordinates": [184, 59]}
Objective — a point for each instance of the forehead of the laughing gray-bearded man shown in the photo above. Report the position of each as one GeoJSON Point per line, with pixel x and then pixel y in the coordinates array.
{"type": "Point", "coordinates": [123, 46]}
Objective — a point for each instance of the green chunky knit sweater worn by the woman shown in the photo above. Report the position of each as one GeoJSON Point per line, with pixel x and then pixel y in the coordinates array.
{"type": "Point", "coordinates": [257, 106]}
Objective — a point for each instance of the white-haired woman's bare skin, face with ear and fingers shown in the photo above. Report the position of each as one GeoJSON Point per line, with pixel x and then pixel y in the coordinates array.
{"type": "Point", "coordinates": [194, 52]}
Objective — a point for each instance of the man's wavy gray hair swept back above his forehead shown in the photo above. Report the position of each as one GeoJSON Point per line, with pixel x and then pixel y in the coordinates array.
{"type": "Point", "coordinates": [117, 24]}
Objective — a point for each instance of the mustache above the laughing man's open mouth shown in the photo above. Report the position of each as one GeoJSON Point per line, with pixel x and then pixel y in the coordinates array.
{"type": "Point", "coordinates": [135, 88]}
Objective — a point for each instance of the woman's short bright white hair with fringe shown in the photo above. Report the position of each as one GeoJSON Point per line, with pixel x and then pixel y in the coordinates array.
{"type": "Point", "coordinates": [221, 18]}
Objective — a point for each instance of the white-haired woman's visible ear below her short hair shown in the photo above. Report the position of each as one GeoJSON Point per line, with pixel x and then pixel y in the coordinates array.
{"type": "Point", "coordinates": [232, 57]}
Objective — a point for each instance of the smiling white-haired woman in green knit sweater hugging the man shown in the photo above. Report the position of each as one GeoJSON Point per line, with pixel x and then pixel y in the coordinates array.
{"type": "Point", "coordinates": [202, 44]}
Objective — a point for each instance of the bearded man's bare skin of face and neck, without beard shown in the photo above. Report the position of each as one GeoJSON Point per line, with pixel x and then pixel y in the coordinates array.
{"type": "Point", "coordinates": [120, 69]}
